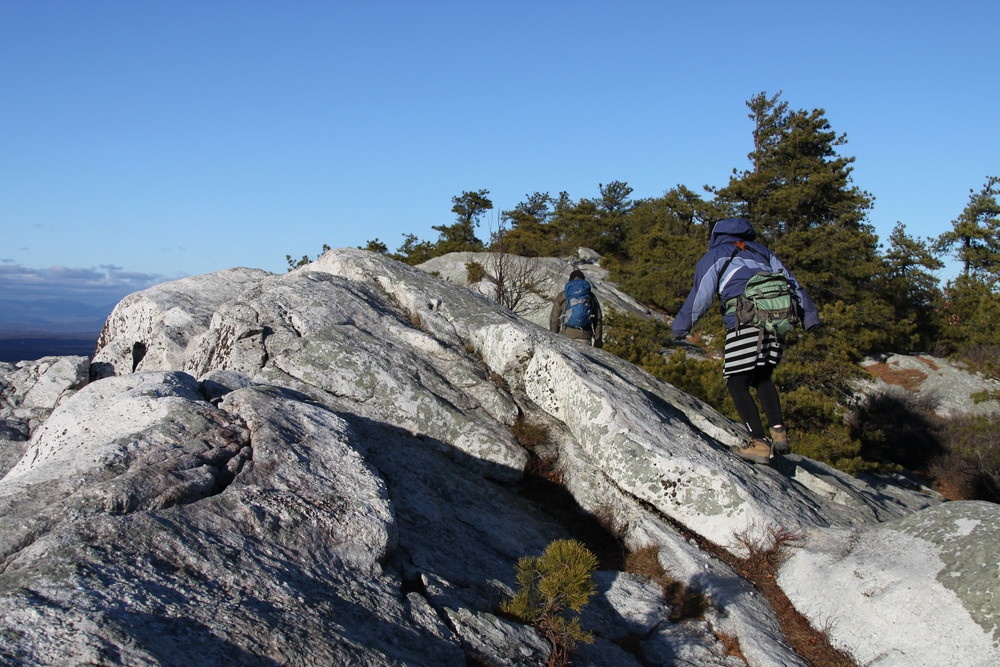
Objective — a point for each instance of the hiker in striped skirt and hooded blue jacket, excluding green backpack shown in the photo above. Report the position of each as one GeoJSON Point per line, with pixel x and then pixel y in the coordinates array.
{"type": "Point", "coordinates": [751, 353]}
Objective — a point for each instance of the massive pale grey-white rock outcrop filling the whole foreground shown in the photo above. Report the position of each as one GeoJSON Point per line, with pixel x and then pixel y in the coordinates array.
{"type": "Point", "coordinates": [320, 467]}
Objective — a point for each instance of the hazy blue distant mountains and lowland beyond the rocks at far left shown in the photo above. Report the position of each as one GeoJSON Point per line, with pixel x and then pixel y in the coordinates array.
{"type": "Point", "coordinates": [47, 327]}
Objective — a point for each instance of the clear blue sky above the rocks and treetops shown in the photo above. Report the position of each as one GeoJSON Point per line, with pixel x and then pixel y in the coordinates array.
{"type": "Point", "coordinates": [143, 141]}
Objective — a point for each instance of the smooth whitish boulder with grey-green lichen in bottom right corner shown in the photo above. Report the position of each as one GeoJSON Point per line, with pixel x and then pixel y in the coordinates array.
{"type": "Point", "coordinates": [919, 590]}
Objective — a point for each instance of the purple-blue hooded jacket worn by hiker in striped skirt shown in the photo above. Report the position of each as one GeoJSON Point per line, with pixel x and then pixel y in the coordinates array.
{"type": "Point", "coordinates": [708, 282]}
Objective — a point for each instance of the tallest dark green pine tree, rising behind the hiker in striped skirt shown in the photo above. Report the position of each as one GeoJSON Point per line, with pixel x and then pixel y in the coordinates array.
{"type": "Point", "coordinates": [800, 198]}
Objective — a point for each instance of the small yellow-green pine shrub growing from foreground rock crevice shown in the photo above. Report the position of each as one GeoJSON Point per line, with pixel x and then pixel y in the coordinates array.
{"type": "Point", "coordinates": [553, 588]}
